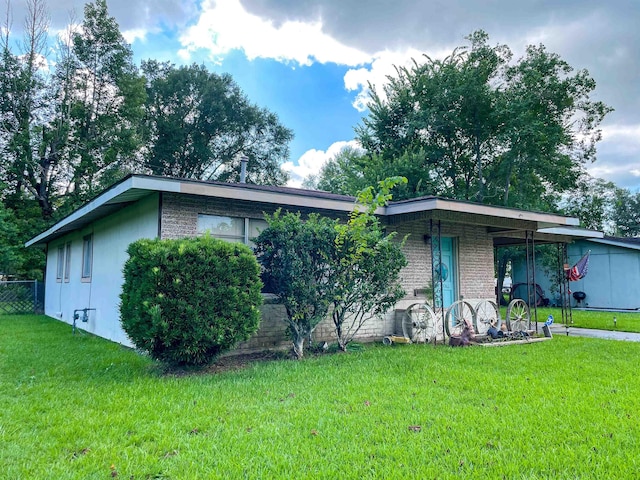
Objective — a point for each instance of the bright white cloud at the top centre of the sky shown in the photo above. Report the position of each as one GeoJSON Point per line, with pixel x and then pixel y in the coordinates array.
{"type": "Point", "coordinates": [224, 26]}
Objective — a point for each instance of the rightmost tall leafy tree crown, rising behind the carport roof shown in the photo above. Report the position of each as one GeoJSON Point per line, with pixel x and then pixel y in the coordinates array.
{"type": "Point", "coordinates": [551, 129]}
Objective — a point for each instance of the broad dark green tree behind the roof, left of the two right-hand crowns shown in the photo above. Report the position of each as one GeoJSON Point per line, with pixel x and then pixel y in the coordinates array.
{"type": "Point", "coordinates": [441, 116]}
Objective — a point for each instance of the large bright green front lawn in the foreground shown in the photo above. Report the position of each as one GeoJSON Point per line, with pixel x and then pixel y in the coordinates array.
{"type": "Point", "coordinates": [79, 407]}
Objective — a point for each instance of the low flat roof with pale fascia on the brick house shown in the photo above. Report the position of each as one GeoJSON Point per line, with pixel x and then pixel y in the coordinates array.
{"type": "Point", "coordinates": [134, 187]}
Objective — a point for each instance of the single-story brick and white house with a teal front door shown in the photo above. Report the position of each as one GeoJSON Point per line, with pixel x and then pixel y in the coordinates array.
{"type": "Point", "coordinates": [86, 250]}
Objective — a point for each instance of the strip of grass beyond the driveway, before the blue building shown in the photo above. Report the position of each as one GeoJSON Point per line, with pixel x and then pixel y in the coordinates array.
{"type": "Point", "coordinates": [625, 321]}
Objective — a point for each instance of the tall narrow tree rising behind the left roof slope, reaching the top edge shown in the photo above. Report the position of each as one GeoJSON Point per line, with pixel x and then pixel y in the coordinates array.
{"type": "Point", "coordinates": [106, 99]}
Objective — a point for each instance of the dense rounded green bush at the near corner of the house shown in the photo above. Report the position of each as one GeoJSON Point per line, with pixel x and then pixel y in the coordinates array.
{"type": "Point", "coordinates": [186, 301]}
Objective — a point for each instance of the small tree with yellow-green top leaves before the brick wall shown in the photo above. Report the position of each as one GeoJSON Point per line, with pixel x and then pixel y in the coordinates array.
{"type": "Point", "coordinates": [366, 267]}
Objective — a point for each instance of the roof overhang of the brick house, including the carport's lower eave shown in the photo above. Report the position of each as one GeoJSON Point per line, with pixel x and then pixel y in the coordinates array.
{"type": "Point", "coordinates": [506, 225]}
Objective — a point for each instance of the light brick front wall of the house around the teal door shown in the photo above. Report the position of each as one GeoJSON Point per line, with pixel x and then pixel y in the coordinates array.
{"type": "Point", "coordinates": [474, 258]}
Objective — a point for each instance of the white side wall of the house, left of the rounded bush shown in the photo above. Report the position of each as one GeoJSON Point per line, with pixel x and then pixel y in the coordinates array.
{"type": "Point", "coordinates": [111, 236]}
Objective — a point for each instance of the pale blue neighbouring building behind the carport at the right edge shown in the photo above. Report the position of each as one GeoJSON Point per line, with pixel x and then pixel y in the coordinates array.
{"type": "Point", "coordinates": [612, 281]}
